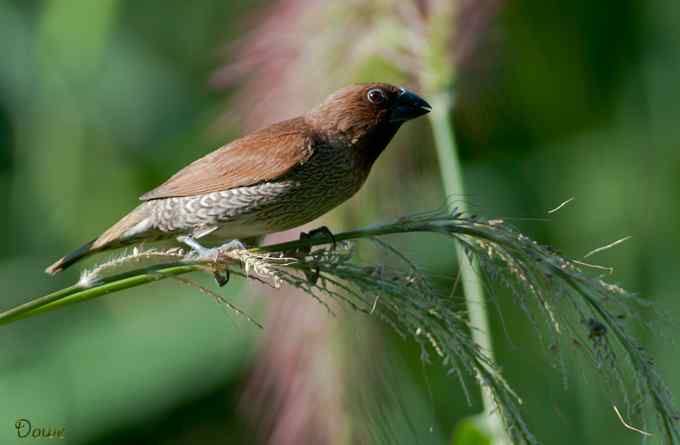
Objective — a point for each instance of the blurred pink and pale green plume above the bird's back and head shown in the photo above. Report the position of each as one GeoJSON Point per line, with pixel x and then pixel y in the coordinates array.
{"type": "Point", "coordinates": [296, 51]}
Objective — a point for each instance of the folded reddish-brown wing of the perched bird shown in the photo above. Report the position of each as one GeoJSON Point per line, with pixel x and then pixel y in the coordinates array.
{"type": "Point", "coordinates": [261, 156]}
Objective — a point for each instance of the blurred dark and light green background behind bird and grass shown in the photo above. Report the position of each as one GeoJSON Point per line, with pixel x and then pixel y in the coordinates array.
{"type": "Point", "coordinates": [102, 100]}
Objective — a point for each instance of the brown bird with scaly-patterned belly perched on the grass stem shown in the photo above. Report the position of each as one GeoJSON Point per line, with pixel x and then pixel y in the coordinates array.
{"type": "Point", "coordinates": [273, 179]}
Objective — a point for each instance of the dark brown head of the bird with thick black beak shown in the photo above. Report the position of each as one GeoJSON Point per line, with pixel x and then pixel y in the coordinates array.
{"type": "Point", "coordinates": [366, 116]}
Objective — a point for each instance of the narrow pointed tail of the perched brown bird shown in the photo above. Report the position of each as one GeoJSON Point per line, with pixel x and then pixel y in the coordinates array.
{"type": "Point", "coordinates": [119, 234]}
